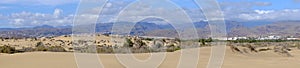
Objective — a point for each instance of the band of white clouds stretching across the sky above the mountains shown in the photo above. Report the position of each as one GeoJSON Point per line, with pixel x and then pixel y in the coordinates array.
{"type": "Point", "coordinates": [112, 9]}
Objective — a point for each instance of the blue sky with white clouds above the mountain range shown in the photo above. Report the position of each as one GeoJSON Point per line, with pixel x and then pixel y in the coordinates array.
{"type": "Point", "coordinates": [23, 13]}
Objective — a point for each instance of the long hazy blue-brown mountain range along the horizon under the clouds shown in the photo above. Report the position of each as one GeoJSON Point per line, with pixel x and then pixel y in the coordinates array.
{"type": "Point", "coordinates": [234, 28]}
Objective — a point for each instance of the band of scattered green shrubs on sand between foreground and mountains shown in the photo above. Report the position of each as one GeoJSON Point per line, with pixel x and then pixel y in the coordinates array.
{"type": "Point", "coordinates": [135, 44]}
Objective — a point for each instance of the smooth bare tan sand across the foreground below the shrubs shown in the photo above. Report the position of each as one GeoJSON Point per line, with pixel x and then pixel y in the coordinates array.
{"type": "Point", "coordinates": [232, 60]}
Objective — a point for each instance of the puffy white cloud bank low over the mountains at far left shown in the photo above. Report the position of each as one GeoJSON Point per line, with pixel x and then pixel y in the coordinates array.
{"type": "Point", "coordinates": [24, 19]}
